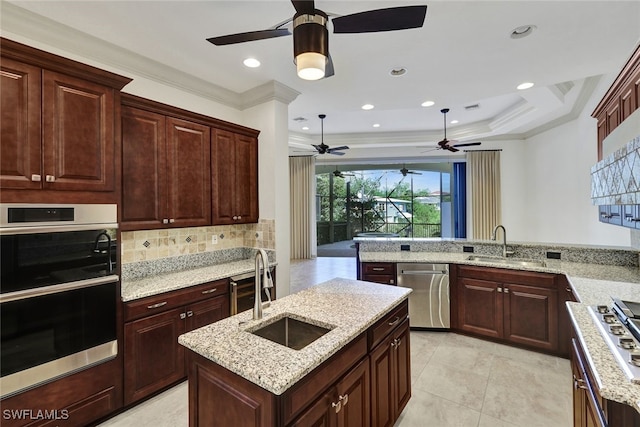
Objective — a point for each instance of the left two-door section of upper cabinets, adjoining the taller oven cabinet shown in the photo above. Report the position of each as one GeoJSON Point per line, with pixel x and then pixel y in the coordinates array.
{"type": "Point", "coordinates": [166, 171]}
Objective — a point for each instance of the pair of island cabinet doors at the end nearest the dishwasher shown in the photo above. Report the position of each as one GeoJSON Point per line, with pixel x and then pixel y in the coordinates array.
{"type": "Point", "coordinates": [390, 377]}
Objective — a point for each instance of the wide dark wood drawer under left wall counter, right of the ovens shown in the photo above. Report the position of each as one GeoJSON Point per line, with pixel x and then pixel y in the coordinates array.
{"type": "Point", "coordinates": [170, 300]}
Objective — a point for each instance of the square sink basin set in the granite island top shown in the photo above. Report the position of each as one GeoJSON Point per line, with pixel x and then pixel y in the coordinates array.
{"type": "Point", "coordinates": [290, 332]}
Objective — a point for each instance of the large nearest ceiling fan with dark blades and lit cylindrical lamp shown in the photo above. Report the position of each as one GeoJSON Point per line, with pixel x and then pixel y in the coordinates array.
{"type": "Point", "coordinates": [311, 37]}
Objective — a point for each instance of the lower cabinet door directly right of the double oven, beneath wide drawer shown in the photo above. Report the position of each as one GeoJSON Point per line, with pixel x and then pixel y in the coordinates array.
{"type": "Point", "coordinates": [153, 357]}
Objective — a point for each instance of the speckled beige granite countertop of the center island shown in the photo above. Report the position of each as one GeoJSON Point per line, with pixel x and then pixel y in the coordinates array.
{"type": "Point", "coordinates": [275, 367]}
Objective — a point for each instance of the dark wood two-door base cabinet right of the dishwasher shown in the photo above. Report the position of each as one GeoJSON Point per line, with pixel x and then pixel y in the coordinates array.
{"type": "Point", "coordinates": [515, 306]}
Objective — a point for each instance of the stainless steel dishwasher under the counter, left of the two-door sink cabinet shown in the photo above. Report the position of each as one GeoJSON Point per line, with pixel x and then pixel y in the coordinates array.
{"type": "Point", "coordinates": [429, 301]}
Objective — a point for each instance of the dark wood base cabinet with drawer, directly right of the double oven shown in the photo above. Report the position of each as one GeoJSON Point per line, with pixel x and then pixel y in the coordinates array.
{"type": "Point", "coordinates": [153, 359]}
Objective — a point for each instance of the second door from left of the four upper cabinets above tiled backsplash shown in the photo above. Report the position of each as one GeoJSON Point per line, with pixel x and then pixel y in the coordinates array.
{"type": "Point", "coordinates": [189, 173]}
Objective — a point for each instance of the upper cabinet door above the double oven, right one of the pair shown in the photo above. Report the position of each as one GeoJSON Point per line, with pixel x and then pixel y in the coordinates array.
{"type": "Point", "coordinates": [78, 134]}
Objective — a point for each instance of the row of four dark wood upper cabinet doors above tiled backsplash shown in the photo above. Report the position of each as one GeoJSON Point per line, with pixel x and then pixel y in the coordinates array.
{"type": "Point", "coordinates": [171, 161]}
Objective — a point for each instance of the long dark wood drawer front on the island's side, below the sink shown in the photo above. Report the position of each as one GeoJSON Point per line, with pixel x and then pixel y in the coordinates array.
{"type": "Point", "coordinates": [319, 380]}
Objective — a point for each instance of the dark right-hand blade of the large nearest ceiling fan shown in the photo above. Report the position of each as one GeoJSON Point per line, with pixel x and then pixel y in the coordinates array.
{"type": "Point", "coordinates": [390, 19]}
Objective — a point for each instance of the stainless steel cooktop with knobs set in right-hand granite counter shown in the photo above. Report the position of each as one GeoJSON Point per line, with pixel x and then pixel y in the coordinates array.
{"type": "Point", "coordinates": [619, 324]}
